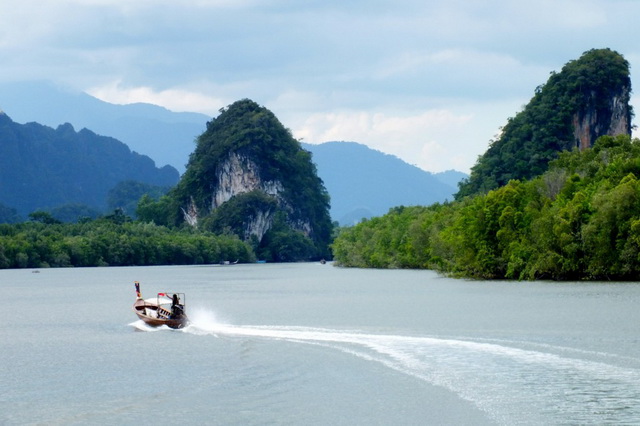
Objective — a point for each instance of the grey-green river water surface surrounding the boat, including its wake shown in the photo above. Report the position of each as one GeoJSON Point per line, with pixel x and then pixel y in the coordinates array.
{"type": "Point", "coordinates": [310, 344]}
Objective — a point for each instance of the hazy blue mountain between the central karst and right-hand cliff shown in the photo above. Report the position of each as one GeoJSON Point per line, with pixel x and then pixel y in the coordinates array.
{"type": "Point", "coordinates": [363, 182]}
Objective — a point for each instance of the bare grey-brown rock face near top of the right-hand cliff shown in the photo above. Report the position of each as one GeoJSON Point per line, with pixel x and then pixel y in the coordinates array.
{"type": "Point", "coordinates": [615, 119]}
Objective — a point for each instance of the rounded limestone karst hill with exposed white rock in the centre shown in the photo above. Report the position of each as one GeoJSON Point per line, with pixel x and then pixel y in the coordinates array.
{"type": "Point", "coordinates": [248, 176]}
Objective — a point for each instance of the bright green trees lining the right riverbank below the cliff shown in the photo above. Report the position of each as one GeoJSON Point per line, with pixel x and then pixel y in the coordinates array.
{"type": "Point", "coordinates": [579, 220]}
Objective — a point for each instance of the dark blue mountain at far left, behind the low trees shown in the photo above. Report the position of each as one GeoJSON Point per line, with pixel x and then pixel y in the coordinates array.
{"type": "Point", "coordinates": [43, 168]}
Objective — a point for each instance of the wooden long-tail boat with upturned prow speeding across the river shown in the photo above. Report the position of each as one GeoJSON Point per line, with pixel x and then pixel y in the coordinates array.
{"type": "Point", "coordinates": [164, 309]}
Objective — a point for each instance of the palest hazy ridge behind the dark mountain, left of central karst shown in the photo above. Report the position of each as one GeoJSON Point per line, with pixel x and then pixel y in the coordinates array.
{"type": "Point", "coordinates": [166, 137]}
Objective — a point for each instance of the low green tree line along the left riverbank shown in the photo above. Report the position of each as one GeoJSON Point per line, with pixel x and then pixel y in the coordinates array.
{"type": "Point", "coordinates": [113, 240]}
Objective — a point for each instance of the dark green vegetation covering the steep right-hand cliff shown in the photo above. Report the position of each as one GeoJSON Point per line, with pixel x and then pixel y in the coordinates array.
{"type": "Point", "coordinates": [535, 136]}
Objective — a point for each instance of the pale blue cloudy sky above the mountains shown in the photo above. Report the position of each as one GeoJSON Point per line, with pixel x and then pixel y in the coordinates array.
{"type": "Point", "coordinates": [428, 81]}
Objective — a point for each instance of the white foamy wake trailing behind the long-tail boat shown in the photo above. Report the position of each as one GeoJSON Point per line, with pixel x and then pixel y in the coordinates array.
{"type": "Point", "coordinates": [508, 380]}
